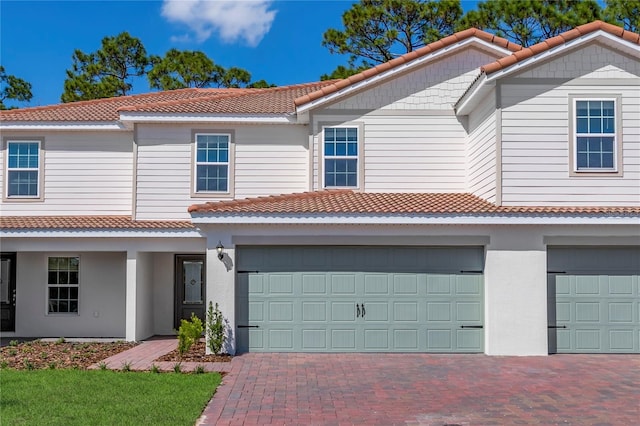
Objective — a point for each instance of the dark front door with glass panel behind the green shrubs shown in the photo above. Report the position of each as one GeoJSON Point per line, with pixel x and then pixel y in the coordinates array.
{"type": "Point", "coordinates": [190, 287]}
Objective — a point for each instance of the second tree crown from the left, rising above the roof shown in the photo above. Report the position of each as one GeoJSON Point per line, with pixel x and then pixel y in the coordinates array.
{"type": "Point", "coordinates": [106, 72]}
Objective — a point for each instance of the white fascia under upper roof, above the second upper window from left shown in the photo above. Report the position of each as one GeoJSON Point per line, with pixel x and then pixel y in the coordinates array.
{"type": "Point", "coordinates": [139, 117]}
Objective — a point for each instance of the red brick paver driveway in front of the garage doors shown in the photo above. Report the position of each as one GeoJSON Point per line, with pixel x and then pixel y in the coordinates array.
{"type": "Point", "coordinates": [386, 389]}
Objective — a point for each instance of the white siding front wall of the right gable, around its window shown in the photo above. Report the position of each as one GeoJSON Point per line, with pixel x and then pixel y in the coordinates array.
{"type": "Point", "coordinates": [536, 139]}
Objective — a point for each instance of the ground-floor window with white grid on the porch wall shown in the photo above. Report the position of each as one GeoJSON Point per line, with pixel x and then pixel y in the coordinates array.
{"type": "Point", "coordinates": [63, 283]}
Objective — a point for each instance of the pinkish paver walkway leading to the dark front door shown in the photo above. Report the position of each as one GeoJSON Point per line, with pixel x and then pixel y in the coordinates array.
{"type": "Point", "coordinates": [143, 357]}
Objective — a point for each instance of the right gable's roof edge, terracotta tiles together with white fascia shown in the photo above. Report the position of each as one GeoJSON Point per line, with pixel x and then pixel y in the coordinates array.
{"type": "Point", "coordinates": [529, 56]}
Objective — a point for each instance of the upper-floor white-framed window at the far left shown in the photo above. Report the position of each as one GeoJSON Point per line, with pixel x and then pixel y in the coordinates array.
{"type": "Point", "coordinates": [23, 169]}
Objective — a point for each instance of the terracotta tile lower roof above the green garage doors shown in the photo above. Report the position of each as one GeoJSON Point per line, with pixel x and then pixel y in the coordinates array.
{"type": "Point", "coordinates": [350, 202]}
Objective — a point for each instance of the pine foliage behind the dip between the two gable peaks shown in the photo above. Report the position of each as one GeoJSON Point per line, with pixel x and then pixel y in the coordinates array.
{"type": "Point", "coordinates": [527, 22]}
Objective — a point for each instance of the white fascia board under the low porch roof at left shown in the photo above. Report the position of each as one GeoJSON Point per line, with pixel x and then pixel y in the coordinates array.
{"type": "Point", "coordinates": [97, 233]}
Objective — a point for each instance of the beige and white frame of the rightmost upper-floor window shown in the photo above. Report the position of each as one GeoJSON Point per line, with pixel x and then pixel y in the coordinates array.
{"type": "Point", "coordinates": [616, 170]}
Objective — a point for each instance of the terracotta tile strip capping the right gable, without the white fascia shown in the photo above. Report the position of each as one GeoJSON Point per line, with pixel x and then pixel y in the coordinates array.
{"type": "Point", "coordinates": [558, 40]}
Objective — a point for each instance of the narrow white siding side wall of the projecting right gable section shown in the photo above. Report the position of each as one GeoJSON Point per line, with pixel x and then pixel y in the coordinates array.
{"type": "Point", "coordinates": [481, 149]}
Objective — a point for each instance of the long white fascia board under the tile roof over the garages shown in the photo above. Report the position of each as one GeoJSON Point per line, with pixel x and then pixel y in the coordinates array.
{"type": "Point", "coordinates": [414, 220]}
